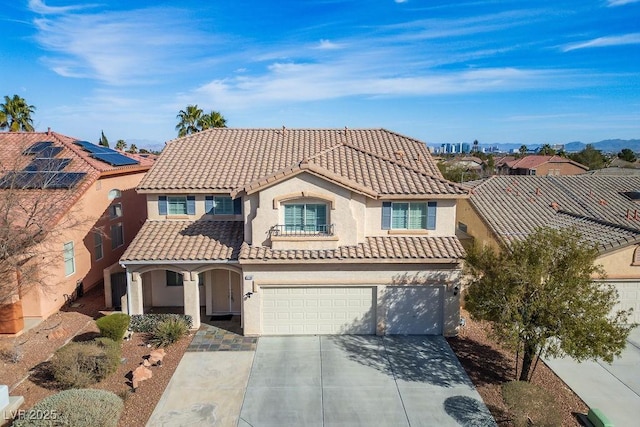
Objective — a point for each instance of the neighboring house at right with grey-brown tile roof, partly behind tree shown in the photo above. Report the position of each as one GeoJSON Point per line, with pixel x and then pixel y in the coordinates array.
{"type": "Point", "coordinates": [605, 209]}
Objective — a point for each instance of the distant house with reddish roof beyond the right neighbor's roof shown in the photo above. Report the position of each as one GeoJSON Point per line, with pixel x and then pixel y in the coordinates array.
{"type": "Point", "coordinates": [539, 165]}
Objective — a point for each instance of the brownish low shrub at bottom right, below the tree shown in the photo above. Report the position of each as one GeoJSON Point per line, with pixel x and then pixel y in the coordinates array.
{"type": "Point", "coordinates": [527, 401]}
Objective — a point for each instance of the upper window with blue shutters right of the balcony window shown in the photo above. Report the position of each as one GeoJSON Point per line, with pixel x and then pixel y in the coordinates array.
{"type": "Point", "coordinates": [409, 215]}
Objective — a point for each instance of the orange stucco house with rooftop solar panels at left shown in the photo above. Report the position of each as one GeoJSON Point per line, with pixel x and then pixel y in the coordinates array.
{"type": "Point", "coordinates": [92, 213]}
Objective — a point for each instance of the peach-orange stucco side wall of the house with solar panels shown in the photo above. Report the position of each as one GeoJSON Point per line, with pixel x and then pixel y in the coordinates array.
{"type": "Point", "coordinates": [89, 213]}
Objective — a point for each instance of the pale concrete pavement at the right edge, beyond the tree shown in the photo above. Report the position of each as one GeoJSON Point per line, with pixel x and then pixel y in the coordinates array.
{"type": "Point", "coordinates": [614, 389]}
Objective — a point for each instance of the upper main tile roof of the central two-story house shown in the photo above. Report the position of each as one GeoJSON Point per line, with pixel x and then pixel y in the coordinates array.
{"type": "Point", "coordinates": [229, 160]}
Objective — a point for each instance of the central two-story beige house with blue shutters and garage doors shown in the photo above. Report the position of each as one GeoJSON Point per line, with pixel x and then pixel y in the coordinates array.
{"type": "Point", "coordinates": [300, 232]}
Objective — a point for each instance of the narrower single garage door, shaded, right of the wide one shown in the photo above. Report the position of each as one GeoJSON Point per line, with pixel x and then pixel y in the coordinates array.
{"type": "Point", "coordinates": [414, 310]}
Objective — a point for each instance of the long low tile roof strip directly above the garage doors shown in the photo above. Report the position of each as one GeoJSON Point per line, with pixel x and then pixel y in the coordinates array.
{"type": "Point", "coordinates": [374, 249]}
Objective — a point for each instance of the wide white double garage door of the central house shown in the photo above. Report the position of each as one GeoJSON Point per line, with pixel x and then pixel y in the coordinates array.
{"type": "Point", "coordinates": [318, 310]}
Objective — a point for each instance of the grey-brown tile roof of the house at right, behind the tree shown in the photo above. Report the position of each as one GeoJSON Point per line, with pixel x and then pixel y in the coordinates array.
{"type": "Point", "coordinates": [513, 206]}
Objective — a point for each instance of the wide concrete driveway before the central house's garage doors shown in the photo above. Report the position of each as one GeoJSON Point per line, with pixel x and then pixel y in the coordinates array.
{"type": "Point", "coordinates": [359, 381]}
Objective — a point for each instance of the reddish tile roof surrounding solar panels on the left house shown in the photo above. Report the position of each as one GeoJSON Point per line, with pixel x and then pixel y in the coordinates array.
{"type": "Point", "coordinates": [14, 144]}
